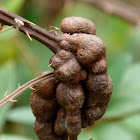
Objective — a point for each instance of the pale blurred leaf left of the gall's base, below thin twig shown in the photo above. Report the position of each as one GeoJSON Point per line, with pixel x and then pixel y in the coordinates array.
{"type": "Point", "coordinates": [21, 115]}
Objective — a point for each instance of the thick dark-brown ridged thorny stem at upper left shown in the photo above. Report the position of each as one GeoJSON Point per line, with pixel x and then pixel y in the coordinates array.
{"type": "Point", "coordinates": [30, 29]}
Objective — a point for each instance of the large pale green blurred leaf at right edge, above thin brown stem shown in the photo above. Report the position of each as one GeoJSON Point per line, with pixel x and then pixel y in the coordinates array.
{"type": "Point", "coordinates": [128, 95]}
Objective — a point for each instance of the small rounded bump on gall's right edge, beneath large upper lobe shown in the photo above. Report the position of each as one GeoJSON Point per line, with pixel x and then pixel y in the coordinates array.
{"type": "Point", "coordinates": [99, 66]}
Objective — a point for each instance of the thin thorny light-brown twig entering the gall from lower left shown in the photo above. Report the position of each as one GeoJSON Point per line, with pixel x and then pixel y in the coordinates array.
{"type": "Point", "coordinates": [10, 98]}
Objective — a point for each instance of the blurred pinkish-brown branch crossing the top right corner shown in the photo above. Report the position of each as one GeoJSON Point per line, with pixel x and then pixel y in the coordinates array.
{"type": "Point", "coordinates": [117, 8]}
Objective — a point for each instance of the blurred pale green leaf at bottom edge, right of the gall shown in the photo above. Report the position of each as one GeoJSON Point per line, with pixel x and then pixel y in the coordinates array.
{"type": "Point", "coordinates": [112, 131]}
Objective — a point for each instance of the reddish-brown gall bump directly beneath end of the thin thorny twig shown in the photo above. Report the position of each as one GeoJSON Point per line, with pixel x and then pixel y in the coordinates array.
{"type": "Point", "coordinates": [46, 89]}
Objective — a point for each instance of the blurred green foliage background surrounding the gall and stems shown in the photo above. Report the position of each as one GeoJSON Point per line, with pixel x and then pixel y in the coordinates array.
{"type": "Point", "coordinates": [21, 60]}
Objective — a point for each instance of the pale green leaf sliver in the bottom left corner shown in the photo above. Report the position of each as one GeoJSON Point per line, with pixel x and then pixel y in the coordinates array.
{"type": "Point", "coordinates": [12, 137]}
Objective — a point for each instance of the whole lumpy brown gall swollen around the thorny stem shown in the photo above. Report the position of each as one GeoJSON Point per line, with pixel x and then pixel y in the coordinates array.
{"type": "Point", "coordinates": [81, 89]}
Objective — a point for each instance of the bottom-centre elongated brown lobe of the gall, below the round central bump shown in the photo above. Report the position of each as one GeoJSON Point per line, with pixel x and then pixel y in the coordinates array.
{"type": "Point", "coordinates": [73, 120]}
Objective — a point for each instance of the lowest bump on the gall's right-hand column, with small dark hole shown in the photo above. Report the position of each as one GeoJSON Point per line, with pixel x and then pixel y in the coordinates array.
{"type": "Point", "coordinates": [94, 113]}
